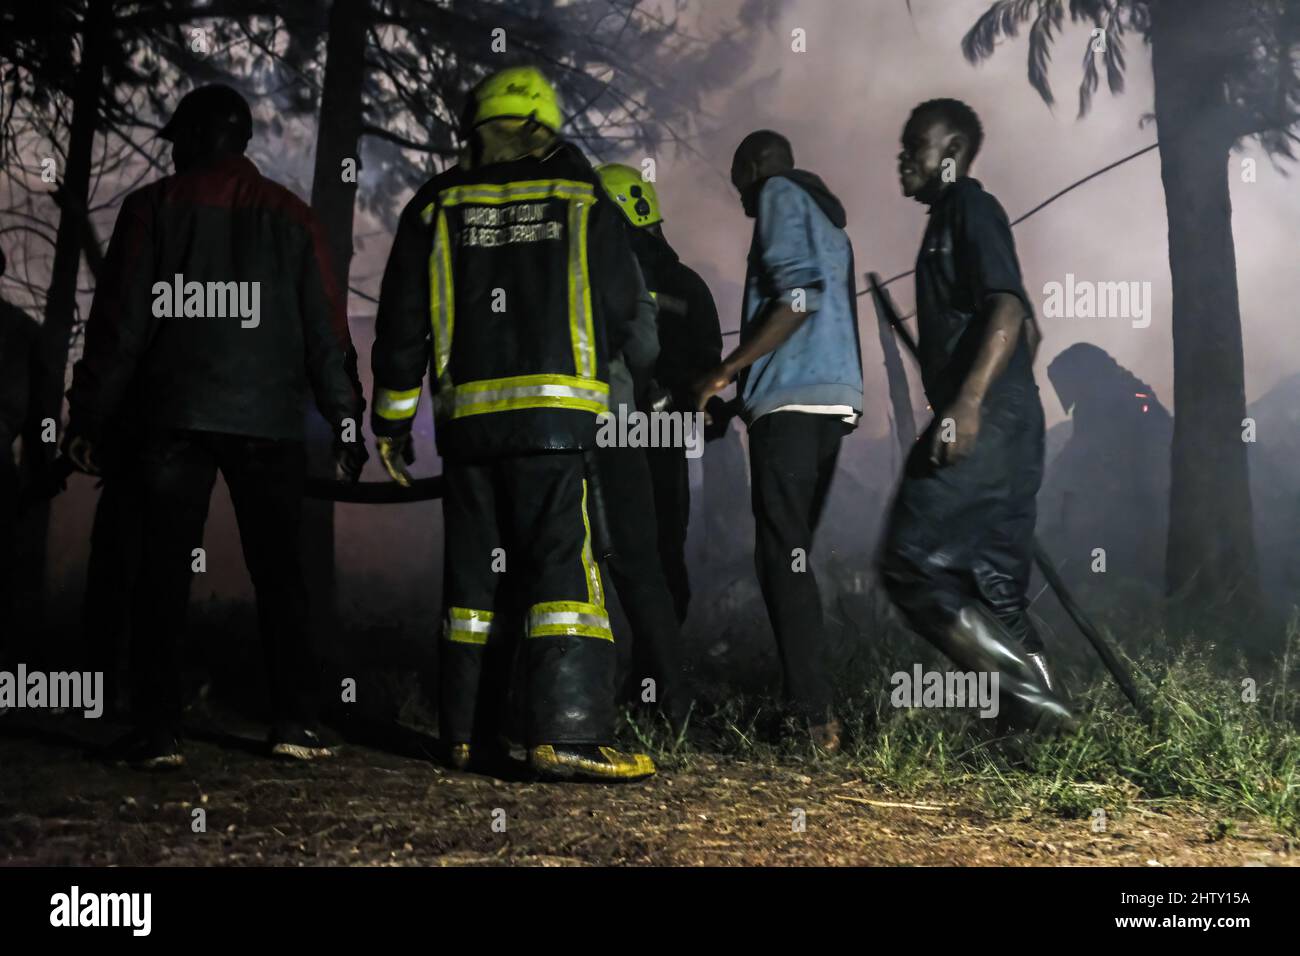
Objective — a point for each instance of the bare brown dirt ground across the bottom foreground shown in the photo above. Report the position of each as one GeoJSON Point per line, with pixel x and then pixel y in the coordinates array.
{"type": "Point", "coordinates": [60, 806]}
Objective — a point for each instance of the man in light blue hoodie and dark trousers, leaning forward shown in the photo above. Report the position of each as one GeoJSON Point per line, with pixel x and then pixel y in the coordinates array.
{"type": "Point", "coordinates": [800, 380]}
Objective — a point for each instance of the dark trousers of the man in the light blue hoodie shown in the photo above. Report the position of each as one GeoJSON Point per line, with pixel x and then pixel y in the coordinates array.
{"type": "Point", "coordinates": [792, 462]}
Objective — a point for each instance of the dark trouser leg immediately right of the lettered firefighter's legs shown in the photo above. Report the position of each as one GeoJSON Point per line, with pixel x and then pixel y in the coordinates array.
{"type": "Point", "coordinates": [636, 569]}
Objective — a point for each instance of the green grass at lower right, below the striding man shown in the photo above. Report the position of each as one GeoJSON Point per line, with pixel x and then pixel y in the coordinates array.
{"type": "Point", "coordinates": [1212, 746]}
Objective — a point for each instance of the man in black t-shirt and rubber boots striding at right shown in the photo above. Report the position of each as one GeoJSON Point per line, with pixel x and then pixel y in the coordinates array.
{"type": "Point", "coordinates": [960, 543]}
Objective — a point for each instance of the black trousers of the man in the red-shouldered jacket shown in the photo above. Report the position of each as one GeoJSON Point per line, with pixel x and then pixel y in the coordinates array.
{"type": "Point", "coordinates": [175, 473]}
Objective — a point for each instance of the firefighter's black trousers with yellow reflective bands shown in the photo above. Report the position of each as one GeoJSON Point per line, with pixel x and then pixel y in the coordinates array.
{"type": "Point", "coordinates": [526, 517]}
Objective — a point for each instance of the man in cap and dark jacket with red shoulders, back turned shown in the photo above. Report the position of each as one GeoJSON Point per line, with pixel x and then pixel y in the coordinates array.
{"type": "Point", "coordinates": [216, 310]}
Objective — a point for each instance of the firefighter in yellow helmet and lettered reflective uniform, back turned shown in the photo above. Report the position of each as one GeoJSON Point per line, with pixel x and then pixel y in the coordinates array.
{"type": "Point", "coordinates": [510, 282]}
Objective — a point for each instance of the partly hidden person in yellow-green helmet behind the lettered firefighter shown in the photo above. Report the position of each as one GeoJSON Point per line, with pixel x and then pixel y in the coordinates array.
{"type": "Point", "coordinates": [691, 343]}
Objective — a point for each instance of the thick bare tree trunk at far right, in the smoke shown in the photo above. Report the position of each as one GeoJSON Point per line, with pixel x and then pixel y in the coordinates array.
{"type": "Point", "coordinates": [1211, 560]}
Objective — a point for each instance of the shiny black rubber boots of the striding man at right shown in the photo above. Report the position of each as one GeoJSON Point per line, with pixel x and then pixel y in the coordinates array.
{"type": "Point", "coordinates": [978, 643]}
